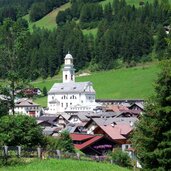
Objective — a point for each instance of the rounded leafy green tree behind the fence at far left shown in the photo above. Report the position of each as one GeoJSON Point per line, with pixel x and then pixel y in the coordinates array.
{"type": "Point", "coordinates": [20, 130]}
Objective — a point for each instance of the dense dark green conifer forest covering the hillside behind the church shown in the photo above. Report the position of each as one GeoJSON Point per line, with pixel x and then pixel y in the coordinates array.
{"type": "Point", "coordinates": [126, 35]}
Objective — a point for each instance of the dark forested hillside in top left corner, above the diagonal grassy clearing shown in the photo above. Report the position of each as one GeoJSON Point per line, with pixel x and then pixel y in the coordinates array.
{"type": "Point", "coordinates": [36, 8]}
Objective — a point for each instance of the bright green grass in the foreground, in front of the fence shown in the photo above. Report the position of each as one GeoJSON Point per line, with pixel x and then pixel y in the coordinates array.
{"type": "Point", "coordinates": [64, 165]}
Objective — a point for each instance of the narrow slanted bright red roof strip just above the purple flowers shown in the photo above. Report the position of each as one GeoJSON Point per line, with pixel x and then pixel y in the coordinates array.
{"type": "Point", "coordinates": [88, 143]}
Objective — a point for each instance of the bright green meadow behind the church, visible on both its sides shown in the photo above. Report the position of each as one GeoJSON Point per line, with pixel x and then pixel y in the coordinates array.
{"type": "Point", "coordinates": [125, 83]}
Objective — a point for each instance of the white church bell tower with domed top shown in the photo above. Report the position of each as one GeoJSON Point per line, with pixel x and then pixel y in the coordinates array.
{"type": "Point", "coordinates": [68, 70]}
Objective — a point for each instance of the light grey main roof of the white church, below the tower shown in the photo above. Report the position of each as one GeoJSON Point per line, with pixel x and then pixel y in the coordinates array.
{"type": "Point", "coordinates": [71, 87]}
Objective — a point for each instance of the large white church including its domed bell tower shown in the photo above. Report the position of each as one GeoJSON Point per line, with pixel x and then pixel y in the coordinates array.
{"type": "Point", "coordinates": [71, 96]}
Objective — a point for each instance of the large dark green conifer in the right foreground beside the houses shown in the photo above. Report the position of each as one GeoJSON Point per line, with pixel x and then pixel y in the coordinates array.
{"type": "Point", "coordinates": [152, 137]}
